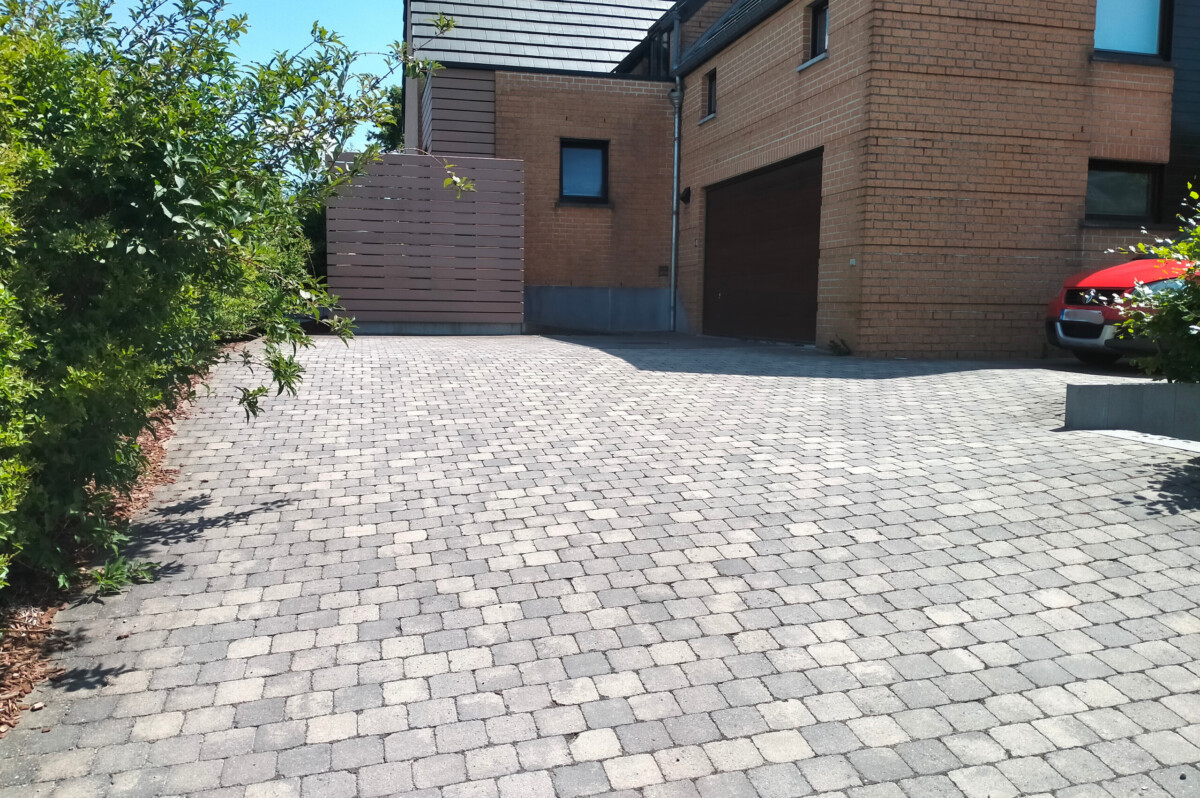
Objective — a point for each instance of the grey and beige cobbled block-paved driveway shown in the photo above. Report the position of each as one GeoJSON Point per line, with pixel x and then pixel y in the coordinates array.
{"type": "Point", "coordinates": [531, 568]}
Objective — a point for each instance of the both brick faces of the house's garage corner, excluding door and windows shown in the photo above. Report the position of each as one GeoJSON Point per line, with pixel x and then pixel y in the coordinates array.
{"type": "Point", "coordinates": [957, 139]}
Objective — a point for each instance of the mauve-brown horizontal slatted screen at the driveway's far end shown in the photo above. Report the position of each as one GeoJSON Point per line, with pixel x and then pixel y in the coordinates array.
{"type": "Point", "coordinates": [404, 249]}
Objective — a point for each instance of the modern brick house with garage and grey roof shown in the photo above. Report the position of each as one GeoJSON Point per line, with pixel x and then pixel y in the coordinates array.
{"type": "Point", "coordinates": [910, 177]}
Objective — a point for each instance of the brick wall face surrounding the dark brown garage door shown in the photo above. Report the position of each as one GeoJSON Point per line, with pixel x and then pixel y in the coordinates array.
{"type": "Point", "coordinates": [769, 112]}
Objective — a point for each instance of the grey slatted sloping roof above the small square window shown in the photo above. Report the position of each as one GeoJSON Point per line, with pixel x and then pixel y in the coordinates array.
{"type": "Point", "coordinates": [562, 35]}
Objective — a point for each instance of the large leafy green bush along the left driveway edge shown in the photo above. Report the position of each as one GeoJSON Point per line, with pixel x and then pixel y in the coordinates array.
{"type": "Point", "coordinates": [152, 201]}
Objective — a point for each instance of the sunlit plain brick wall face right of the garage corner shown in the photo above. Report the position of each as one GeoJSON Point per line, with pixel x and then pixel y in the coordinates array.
{"type": "Point", "coordinates": [983, 119]}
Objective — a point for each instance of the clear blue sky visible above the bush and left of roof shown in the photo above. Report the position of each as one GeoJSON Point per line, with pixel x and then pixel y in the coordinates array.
{"type": "Point", "coordinates": [365, 26]}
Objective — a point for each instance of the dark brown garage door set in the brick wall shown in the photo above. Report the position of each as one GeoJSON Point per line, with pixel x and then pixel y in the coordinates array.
{"type": "Point", "coordinates": [761, 253]}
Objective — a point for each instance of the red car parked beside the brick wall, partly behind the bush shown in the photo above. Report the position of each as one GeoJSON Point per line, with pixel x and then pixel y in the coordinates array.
{"type": "Point", "coordinates": [1083, 319]}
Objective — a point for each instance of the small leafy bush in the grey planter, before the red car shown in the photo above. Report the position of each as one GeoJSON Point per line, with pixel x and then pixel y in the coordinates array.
{"type": "Point", "coordinates": [1168, 313]}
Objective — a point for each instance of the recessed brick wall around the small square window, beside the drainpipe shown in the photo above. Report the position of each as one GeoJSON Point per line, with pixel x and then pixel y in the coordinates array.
{"type": "Point", "coordinates": [623, 245]}
